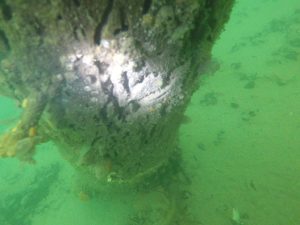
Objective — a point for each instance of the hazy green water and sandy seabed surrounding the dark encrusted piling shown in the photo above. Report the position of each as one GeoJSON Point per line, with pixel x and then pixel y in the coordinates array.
{"type": "Point", "coordinates": [241, 143]}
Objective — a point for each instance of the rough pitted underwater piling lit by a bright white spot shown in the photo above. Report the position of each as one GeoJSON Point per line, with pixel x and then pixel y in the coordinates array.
{"type": "Point", "coordinates": [107, 80]}
